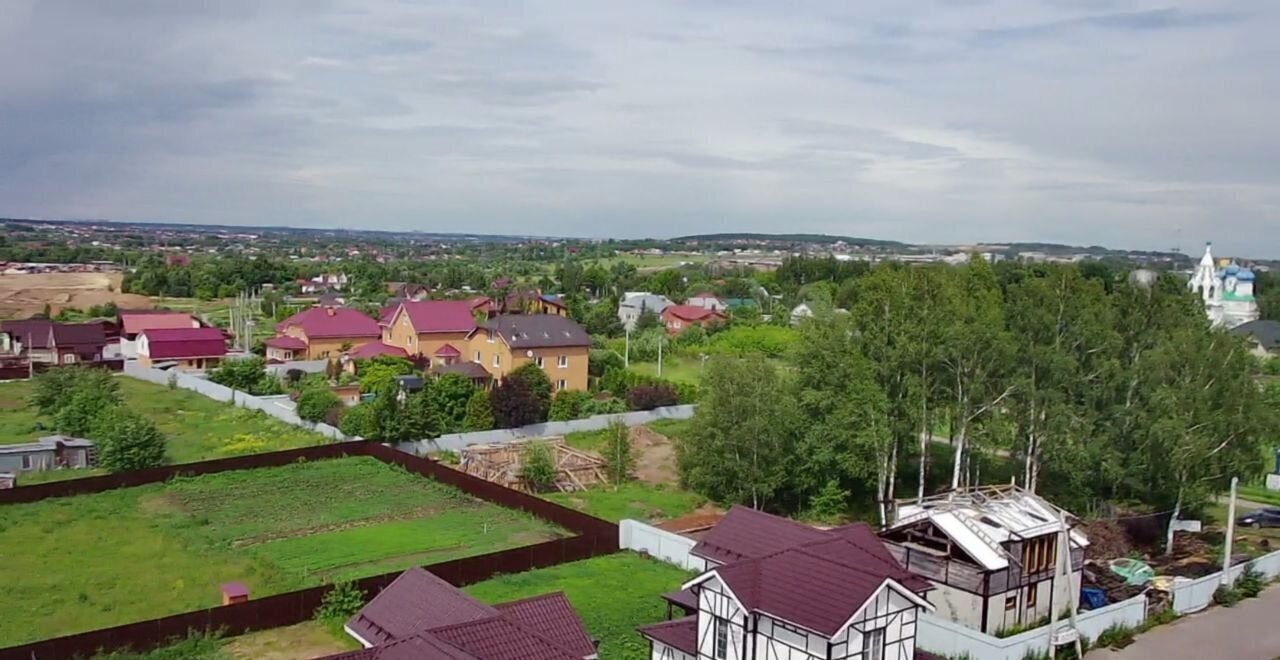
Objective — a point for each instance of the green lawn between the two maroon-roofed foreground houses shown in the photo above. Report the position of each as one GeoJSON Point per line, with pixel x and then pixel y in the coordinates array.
{"type": "Point", "coordinates": [612, 595]}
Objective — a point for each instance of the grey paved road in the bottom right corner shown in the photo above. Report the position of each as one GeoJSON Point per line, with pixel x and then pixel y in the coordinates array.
{"type": "Point", "coordinates": [1245, 632]}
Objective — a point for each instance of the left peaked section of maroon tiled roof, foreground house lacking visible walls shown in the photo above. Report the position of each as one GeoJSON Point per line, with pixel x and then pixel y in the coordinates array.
{"type": "Point", "coordinates": [414, 602]}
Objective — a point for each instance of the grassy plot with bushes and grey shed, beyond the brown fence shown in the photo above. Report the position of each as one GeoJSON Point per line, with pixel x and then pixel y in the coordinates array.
{"type": "Point", "coordinates": [196, 428]}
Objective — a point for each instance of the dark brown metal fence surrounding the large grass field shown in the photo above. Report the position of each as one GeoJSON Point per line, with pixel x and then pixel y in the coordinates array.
{"type": "Point", "coordinates": [595, 538]}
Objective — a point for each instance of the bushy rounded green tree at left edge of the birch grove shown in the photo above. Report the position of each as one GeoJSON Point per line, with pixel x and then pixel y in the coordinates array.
{"type": "Point", "coordinates": [743, 434]}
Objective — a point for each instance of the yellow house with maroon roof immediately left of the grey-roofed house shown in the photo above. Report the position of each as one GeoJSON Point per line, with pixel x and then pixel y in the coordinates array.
{"type": "Point", "coordinates": [426, 328]}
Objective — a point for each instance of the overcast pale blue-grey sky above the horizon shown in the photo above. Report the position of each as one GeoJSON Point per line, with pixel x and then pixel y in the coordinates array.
{"type": "Point", "coordinates": [1124, 123]}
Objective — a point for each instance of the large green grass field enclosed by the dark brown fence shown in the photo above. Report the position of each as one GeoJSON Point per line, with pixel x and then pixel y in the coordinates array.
{"type": "Point", "coordinates": [81, 563]}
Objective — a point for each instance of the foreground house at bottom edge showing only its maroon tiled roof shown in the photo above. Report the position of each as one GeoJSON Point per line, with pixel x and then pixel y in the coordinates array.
{"type": "Point", "coordinates": [422, 617]}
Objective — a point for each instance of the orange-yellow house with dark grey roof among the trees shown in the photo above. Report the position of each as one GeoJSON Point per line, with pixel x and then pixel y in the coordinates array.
{"type": "Point", "coordinates": [555, 343]}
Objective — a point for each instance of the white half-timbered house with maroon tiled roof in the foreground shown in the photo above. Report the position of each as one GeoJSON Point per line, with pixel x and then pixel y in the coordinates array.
{"type": "Point", "coordinates": [775, 589]}
